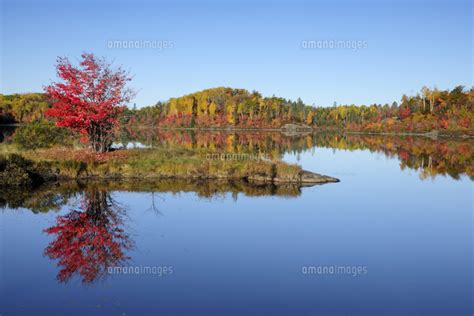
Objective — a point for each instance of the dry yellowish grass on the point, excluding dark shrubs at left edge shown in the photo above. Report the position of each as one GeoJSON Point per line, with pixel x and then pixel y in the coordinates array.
{"type": "Point", "coordinates": [171, 162]}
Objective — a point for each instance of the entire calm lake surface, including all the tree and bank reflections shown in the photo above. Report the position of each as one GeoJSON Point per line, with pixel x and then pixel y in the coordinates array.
{"type": "Point", "coordinates": [393, 237]}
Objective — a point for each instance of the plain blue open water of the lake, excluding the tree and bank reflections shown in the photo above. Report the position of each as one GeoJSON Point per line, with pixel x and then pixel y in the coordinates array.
{"type": "Point", "coordinates": [245, 255]}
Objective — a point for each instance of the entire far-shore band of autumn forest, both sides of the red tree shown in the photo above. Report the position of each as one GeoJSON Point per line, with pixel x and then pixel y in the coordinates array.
{"type": "Point", "coordinates": [430, 109]}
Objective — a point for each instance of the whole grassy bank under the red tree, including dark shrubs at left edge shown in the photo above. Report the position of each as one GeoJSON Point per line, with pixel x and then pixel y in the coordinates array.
{"type": "Point", "coordinates": [143, 164]}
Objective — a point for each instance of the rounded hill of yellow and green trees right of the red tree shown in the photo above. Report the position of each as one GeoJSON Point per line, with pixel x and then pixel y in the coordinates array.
{"type": "Point", "coordinates": [227, 107]}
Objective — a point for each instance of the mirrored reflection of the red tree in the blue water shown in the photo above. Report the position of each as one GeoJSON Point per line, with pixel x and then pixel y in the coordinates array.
{"type": "Point", "coordinates": [91, 240]}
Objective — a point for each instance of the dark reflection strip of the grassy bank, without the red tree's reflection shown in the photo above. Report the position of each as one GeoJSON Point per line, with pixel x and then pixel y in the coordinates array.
{"type": "Point", "coordinates": [51, 197]}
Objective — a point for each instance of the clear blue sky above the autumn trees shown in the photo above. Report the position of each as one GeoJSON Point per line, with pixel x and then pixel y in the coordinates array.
{"type": "Point", "coordinates": [255, 45]}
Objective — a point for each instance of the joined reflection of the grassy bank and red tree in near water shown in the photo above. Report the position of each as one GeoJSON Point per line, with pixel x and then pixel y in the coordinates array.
{"type": "Point", "coordinates": [91, 237]}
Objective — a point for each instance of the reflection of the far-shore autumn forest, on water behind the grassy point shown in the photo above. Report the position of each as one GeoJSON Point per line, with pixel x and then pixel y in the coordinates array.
{"type": "Point", "coordinates": [430, 157]}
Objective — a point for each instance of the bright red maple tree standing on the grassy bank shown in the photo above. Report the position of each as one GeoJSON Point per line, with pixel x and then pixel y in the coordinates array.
{"type": "Point", "coordinates": [89, 98]}
